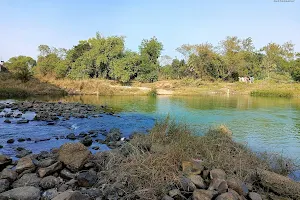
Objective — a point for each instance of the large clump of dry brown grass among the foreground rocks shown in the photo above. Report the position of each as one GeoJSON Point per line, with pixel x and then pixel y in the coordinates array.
{"type": "Point", "coordinates": [148, 164]}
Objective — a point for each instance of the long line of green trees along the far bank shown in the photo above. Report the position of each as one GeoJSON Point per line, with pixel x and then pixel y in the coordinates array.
{"type": "Point", "coordinates": [107, 57]}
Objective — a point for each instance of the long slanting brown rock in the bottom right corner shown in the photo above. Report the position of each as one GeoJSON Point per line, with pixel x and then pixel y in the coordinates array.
{"type": "Point", "coordinates": [279, 184]}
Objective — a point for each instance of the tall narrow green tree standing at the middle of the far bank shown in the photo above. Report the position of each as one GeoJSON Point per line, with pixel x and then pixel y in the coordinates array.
{"type": "Point", "coordinates": [150, 51]}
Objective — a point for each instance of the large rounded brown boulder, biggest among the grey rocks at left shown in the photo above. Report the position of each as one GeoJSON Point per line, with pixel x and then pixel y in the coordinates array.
{"type": "Point", "coordinates": [74, 155]}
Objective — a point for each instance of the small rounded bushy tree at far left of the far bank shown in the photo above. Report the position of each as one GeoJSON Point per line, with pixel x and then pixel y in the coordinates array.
{"type": "Point", "coordinates": [21, 67]}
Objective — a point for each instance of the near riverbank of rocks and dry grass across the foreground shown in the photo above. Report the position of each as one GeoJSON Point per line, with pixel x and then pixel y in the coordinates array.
{"type": "Point", "coordinates": [168, 163]}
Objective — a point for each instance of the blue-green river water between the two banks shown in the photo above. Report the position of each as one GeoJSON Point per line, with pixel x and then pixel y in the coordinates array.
{"type": "Point", "coordinates": [263, 124]}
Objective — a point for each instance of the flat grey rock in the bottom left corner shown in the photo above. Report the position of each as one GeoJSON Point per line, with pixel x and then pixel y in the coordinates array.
{"type": "Point", "coordinates": [22, 193]}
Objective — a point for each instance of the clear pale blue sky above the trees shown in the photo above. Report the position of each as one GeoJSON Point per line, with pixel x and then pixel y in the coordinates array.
{"type": "Point", "coordinates": [62, 23]}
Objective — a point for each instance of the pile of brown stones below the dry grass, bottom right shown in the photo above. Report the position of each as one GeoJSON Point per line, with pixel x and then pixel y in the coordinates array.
{"type": "Point", "coordinates": [198, 183]}
